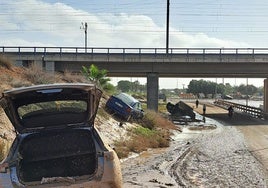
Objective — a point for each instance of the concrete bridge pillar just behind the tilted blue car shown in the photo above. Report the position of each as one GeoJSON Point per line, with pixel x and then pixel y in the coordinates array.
{"type": "Point", "coordinates": [152, 91]}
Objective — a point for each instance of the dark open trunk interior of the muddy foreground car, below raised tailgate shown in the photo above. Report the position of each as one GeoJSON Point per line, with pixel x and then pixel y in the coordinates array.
{"type": "Point", "coordinates": [62, 153]}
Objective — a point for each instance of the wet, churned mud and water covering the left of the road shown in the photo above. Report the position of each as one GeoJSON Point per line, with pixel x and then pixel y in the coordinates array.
{"type": "Point", "coordinates": [208, 158]}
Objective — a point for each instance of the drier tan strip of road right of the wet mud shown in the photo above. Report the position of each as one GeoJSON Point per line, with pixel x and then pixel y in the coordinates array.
{"type": "Point", "coordinates": [255, 131]}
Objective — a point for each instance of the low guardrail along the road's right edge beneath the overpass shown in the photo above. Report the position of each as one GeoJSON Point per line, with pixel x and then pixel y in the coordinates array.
{"type": "Point", "coordinates": [253, 111]}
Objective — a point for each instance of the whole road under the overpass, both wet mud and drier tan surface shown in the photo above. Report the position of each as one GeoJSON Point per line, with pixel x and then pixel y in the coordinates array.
{"type": "Point", "coordinates": [203, 157]}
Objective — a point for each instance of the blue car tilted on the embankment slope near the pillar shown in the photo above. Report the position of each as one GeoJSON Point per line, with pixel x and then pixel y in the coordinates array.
{"type": "Point", "coordinates": [125, 106]}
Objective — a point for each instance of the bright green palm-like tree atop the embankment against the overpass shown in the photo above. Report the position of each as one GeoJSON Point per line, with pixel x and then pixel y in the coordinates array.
{"type": "Point", "coordinates": [95, 75]}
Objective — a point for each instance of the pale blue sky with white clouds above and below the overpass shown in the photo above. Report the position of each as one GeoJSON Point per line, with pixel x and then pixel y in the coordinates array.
{"type": "Point", "coordinates": [137, 24]}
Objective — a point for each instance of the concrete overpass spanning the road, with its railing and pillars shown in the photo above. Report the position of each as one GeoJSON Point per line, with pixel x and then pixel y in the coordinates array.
{"type": "Point", "coordinates": [149, 62]}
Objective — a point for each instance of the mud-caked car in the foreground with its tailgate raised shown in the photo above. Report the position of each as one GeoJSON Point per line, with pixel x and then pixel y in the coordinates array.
{"type": "Point", "coordinates": [56, 143]}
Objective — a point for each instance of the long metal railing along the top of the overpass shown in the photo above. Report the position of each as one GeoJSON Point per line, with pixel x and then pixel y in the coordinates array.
{"type": "Point", "coordinates": [79, 50]}
